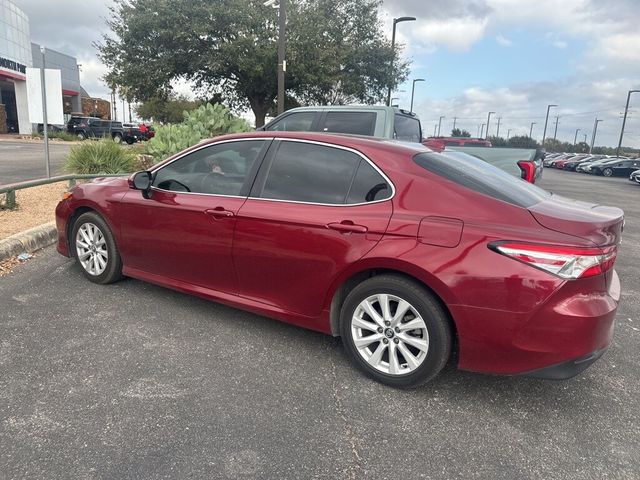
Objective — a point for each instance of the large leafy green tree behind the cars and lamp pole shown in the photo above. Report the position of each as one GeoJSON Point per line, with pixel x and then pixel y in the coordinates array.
{"type": "Point", "coordinates": [336, 51]}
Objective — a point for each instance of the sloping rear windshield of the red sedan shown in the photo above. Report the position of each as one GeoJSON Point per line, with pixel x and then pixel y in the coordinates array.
{"type": "Point", "coordinates": [476, 174]}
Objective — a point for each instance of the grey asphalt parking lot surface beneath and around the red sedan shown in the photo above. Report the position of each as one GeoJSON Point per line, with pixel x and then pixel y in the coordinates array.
{"type": "Point", "coordinates": [136, 381]}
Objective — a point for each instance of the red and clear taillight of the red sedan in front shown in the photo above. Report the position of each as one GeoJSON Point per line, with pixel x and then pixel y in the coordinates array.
{"type": "Point", "coordinates": [565, 262]}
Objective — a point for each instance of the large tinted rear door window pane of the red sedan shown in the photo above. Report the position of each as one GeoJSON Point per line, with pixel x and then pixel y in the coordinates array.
{"type": "Point", "coordinates": [307, 172]}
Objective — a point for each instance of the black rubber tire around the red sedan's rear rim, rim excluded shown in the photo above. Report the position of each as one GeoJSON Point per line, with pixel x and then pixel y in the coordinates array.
{"type": "Point", "coordinates": [435, 318]}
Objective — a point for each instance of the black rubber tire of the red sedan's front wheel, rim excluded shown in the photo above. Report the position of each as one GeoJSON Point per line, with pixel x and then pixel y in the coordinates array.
{"type": "Point", "coordinates": [113, 270]}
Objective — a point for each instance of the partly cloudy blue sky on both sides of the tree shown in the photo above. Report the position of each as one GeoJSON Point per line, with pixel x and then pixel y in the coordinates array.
{"type": "Point", "coordinates": [509, 56]}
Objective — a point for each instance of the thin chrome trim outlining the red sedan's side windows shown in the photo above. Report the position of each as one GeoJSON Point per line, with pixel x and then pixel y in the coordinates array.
{"type": "Point", "coordinates": [313, 142]}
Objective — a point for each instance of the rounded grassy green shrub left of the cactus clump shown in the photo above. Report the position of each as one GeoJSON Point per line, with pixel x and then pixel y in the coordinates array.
{"type": "Point", "coordinates": [104, 156]}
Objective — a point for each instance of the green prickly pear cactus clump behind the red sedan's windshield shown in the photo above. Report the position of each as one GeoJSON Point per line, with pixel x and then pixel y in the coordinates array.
{"type": "Point", "coordinates": [205, 121]}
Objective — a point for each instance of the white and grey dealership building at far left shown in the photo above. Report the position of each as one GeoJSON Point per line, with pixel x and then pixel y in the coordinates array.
{"type": "Point", "coordinates": [17, 52]}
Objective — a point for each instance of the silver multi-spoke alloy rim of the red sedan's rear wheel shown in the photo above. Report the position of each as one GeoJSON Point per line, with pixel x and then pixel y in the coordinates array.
{"type": "Point", "coordinates": [390, 334]}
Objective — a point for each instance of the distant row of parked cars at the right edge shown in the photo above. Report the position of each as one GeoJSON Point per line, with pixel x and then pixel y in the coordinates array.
{"type": "Point", "coordinates": [607, 166]}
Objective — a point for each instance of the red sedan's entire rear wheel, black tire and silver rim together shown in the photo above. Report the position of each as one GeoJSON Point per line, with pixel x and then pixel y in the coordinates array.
{"type": "Point", "coordinates": [395, 331]}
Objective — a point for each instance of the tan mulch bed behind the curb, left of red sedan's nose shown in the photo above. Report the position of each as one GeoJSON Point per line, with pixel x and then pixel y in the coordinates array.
{"type": "Point", "coordinates": [36, 205]}
